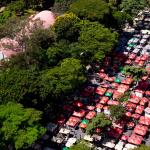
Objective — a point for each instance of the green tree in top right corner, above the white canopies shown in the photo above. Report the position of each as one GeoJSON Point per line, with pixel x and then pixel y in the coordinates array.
{"type": "Point", "coordinates": [133, 6]}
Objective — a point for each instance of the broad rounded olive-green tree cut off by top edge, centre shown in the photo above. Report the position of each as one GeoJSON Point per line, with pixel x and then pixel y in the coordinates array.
{"type": "Point", "coordinates": [94, 10]}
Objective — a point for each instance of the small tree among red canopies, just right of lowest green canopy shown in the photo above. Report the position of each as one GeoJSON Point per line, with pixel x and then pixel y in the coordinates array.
{"type": "Point", "coordinates": [100, 121]}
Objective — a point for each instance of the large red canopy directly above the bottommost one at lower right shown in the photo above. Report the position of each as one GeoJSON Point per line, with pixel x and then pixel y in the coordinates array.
{"type": "Point", "coordinates": [140, 129]}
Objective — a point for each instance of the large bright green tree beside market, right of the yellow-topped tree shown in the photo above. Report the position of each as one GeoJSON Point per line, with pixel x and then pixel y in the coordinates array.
{"type": "Point", "coordinates": [94, 41]}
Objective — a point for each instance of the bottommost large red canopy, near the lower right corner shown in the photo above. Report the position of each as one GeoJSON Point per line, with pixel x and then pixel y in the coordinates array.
{"type": "Point", "coordinates": [135, 139]}
